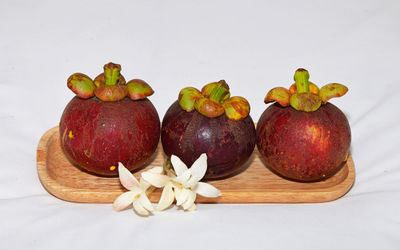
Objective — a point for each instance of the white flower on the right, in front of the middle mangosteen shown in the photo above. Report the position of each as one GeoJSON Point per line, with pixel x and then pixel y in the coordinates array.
{"type": "Point", "coordinates": [184, 186]}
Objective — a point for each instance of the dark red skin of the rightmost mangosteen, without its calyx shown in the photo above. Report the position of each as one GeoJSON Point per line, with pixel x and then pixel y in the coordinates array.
{"type": "Point", "coordinates": [303, 146]}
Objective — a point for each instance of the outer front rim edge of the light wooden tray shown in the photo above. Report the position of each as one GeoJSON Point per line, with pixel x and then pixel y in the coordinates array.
{"type": "Point", "coordinates": [83, 195]}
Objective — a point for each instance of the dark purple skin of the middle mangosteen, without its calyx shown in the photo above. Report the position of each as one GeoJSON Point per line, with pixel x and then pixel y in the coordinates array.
{"type": "Point", "coordinates": [228, 143]}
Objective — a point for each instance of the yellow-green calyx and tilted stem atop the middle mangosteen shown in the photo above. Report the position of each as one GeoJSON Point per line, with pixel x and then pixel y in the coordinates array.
{"type": "Point", "coordinates": [213, 101]}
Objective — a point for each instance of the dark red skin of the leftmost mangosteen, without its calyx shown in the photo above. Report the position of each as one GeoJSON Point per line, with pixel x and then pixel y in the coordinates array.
{"type": "Point", "coordinates": [105, 133]}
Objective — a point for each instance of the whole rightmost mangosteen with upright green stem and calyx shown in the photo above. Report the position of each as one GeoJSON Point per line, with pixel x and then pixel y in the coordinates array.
{"type": "Point", "coordinates": [302, 136]}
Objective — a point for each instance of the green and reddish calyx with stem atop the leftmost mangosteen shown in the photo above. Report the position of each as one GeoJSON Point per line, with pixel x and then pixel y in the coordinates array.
{"type": "Point", "coordinates": [109, 86]}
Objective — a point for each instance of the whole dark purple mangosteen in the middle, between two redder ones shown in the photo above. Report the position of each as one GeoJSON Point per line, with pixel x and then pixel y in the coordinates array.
{"type": "Point", "coordinates": [210, 121]}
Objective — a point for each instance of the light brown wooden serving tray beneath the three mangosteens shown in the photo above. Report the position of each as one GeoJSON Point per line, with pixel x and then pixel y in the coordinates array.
{"type": "Point", "coordinates": [257, 184]}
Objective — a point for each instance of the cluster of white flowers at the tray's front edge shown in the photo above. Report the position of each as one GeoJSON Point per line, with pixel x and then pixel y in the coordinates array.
{"type": "Point", "coordinates": [182, 185]}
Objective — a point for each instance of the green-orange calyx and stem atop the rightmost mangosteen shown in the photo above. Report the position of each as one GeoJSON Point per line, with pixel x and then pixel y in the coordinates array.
{"type": "Point", "coordinates": [304, 95]}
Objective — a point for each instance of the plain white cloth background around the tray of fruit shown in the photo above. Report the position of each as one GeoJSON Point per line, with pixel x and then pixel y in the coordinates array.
{"type": "Point", "coordinates": [254, 46]}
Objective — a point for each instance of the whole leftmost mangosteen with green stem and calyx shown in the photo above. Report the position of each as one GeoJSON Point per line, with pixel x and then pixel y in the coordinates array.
{"type": "Point", "coordinates": [109, 121]}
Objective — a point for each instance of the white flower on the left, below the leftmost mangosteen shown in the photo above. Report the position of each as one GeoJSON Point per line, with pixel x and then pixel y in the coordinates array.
{"type": "Point", "coordinates": [137, 192]}
